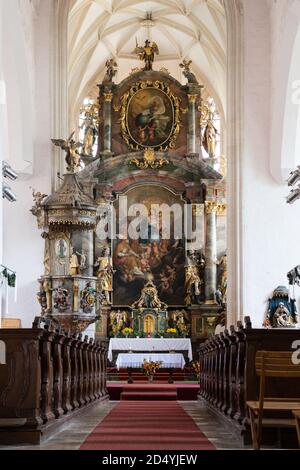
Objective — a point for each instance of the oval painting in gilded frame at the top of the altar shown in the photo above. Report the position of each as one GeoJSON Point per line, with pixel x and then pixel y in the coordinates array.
{"type": "Point", "coordinates": [150, 117]}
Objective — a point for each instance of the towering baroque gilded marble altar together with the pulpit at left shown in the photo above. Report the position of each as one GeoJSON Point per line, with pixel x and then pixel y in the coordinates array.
{"type": "Point", "coordinates": [109, 257]}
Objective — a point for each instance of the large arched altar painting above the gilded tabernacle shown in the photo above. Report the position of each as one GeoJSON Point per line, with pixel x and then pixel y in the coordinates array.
{"type": "Point", "coordinates": [151, 252]}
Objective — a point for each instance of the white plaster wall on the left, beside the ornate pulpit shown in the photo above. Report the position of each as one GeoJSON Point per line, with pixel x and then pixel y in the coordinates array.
{"type": "Point", "coordinates": [23, 246]}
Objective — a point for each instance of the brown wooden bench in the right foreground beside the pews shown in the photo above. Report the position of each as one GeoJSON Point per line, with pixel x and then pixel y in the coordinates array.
{"type": "Point", "coordinates": [273, 364]}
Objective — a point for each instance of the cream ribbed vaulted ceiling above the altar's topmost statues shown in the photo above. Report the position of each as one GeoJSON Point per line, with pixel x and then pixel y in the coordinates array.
{"type": "Point", "coordinates": [100, 29]}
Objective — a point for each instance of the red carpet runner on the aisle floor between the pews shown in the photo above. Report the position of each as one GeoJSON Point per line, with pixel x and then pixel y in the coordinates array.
{"type": "Point", "coordinates": [147, 425]}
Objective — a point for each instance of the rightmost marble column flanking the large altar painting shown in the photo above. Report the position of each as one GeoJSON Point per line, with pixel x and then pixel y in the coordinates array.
{"type": "Point", "coordinates": [211, 208]}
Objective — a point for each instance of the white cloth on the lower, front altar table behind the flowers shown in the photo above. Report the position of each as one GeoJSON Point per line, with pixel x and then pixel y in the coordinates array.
{"type": "Point", "coordinates": [135, 360]}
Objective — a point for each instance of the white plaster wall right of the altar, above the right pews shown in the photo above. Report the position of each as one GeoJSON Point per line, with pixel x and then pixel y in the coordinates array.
{"type": "Point", "coordinates": [270, 226]}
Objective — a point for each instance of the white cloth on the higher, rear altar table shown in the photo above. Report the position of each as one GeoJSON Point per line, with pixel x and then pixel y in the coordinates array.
{"type": "Point", "coordinates": [150, 344]}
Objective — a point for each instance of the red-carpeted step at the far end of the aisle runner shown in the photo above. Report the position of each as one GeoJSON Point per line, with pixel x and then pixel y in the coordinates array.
{"type": "Point", "coordinates": [150, 392]}
